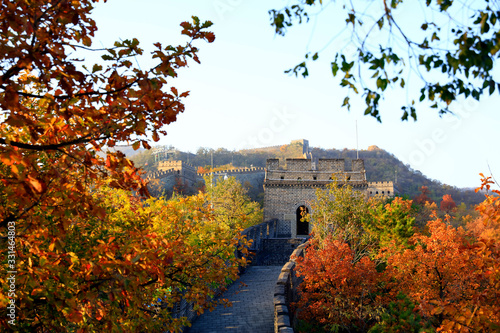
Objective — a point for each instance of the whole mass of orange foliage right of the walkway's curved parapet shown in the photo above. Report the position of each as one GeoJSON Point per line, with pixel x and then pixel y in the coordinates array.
{"type": "Point", "coordinates": [447, 280]}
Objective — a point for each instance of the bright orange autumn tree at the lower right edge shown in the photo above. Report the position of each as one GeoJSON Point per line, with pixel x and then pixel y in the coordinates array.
{"type": "Point", "coordinates": [452, 279]}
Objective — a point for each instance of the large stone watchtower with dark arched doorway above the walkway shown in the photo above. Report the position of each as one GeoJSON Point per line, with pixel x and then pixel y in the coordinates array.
{"type": "Point", "coordinates": [290, 189]}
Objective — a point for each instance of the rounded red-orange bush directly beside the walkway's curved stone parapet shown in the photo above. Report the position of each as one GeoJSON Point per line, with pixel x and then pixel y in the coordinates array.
{"type": "Point", "coordinates": [339, 290]}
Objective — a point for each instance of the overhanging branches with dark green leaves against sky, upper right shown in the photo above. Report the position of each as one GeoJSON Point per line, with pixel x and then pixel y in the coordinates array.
{"type": "Point", "coordinates": [450, 47]}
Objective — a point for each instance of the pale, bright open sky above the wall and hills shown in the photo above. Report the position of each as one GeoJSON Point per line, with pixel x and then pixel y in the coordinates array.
{"type": "Point", "coordinates": [240, 96]}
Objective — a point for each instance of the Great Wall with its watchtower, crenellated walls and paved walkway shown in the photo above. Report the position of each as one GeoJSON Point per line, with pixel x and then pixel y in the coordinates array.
{"type": "Point", "coordinates": [271, 282]}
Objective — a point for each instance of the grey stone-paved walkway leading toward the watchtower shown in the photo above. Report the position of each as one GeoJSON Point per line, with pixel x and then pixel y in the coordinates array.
{"type": "Point", "coordinates": [252, 309]}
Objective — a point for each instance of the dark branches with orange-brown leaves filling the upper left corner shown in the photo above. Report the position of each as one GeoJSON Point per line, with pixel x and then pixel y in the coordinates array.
{"type": "Point", "coordinates": [58, 112]}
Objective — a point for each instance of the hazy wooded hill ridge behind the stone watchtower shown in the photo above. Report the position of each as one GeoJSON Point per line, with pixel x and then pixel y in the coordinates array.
{"type": "Point", "coordinates": [380, 165]}
